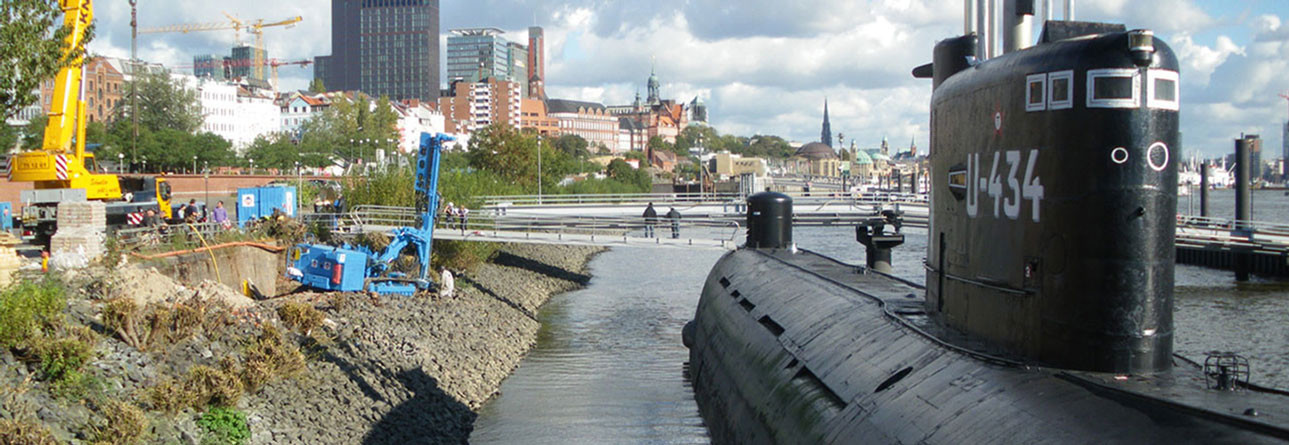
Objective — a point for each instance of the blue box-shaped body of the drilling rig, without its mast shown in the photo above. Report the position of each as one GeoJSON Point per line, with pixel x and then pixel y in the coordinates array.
{"type": "Point", "coordinates": [327, 268]}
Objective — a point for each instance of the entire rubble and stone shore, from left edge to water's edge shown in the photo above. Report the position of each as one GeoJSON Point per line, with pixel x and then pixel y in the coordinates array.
{"type": "Point", "coordinates": [380, 371]}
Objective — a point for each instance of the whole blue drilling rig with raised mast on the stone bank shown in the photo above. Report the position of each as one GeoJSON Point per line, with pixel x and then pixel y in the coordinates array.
{"type": "Point", "coordinates": [356, 269]}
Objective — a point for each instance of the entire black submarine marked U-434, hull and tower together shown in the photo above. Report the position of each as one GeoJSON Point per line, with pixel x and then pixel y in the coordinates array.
{"type": "Point", "coordinates": [1047, 310]}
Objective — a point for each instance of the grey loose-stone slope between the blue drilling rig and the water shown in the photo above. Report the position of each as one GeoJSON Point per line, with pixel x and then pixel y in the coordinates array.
{"type": "Point", "coordinates": [416, 371]}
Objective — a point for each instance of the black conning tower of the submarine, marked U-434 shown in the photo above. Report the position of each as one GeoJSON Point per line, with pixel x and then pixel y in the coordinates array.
{"type": "Point", "coordinates": [1054, 207]}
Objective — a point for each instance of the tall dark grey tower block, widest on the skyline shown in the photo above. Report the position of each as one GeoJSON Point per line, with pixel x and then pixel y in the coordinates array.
{"type": "Point", "coordinates": [383, 48]}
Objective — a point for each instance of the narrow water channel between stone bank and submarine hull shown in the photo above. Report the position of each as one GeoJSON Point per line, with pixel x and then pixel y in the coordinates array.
{"type": "Point", "coordinates": [609, 363]}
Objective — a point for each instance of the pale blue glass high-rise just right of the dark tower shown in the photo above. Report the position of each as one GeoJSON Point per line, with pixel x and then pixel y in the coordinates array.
{"type": "Point", "coordinates": [484, 54]}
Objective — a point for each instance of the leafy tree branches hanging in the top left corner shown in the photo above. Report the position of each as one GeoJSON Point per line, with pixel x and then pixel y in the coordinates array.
{"type": "Point", "coordinates": [33, 41]}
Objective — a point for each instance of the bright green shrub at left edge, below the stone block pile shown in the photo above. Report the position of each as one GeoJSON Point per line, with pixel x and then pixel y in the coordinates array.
{"type": "Point", "coordinates": [30, 308]}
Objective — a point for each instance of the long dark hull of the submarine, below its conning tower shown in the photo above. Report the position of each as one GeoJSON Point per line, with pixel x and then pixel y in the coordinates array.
{"type": "Point", "coordinates": [799, 349]}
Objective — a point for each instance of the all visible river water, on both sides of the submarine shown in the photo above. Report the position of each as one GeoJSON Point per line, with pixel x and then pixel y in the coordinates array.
{"type": "Point", "coordinates": [609, 363]}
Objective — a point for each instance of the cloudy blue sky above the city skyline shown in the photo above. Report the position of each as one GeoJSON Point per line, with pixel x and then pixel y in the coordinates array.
{"type": "Point", "coordinates": [766, 66]}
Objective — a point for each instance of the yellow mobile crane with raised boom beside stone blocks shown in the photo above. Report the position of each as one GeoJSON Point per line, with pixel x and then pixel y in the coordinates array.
{"type": "Point", "coordinates": [63, 171]}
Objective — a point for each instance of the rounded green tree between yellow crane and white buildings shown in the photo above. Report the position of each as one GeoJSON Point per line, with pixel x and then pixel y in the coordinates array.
{"type": "Point", "coordinates": [164, 104]}
